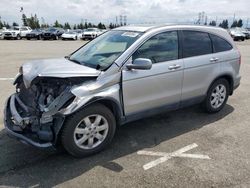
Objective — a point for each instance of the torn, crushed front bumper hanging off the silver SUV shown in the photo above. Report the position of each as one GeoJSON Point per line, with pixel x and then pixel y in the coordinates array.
{"type": "Point", "coordinates": [13, 124]}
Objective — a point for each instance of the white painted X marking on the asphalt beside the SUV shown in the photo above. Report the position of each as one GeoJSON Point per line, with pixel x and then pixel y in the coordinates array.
{"type": "Point", "coordinates": [166, 156]}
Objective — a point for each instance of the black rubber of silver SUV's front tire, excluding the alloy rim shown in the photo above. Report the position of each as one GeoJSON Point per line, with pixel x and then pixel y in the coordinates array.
{"type": "Point", "coordinates": [67, 136]}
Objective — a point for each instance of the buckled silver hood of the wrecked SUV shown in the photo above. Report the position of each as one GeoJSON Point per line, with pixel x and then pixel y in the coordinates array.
{"type": "Point", "coordinates": [60, 68]}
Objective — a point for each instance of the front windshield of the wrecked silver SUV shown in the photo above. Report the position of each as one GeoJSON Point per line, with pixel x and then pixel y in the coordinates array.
{"type": "Point", "coordinates": [101, 52]}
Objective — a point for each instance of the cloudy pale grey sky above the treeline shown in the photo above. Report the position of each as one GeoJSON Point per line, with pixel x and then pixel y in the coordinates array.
{"type": "Point", "coordinates": [137, 11]}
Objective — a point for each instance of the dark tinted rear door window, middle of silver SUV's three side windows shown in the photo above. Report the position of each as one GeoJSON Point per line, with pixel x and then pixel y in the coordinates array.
{"type": "Point", "coordinates": [196, 43]}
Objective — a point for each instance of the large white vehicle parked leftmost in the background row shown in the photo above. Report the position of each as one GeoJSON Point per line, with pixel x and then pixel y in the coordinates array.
{"type": "Point", "coordinates": [17, 32]}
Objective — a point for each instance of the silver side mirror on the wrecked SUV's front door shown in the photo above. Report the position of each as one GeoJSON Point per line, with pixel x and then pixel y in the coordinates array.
{"type": "Point", "coordinates": [140, 63]}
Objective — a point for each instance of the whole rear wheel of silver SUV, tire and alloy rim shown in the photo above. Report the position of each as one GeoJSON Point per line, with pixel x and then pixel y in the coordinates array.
{"type": "Point", "coordinates": [217, 96]}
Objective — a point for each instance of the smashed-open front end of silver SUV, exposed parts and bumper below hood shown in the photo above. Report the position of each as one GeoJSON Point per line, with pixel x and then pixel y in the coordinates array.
{"type": "Point", "coordinates": [32, 113]}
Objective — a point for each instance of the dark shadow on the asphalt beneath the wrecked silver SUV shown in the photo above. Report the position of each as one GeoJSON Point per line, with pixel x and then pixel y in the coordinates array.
{"type": "Point", "coordinates": [25, 166]}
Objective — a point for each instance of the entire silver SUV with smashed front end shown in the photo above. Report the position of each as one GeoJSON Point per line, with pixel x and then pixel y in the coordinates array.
{"type": "Point", "coordinates": [123, 75]}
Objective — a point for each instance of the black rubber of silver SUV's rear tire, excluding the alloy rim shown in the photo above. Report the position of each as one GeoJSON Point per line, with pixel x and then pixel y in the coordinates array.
{"type": "Point", "coordinates": [207, 106]}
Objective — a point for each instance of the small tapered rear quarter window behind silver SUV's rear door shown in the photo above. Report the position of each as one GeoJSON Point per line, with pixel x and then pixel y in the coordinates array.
{"type": "Point", "coordinates": [220, 44]}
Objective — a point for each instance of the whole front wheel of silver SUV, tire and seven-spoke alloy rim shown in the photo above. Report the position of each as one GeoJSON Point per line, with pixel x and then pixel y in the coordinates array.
{"type": "Point", "coordinates": [88, 131]}
